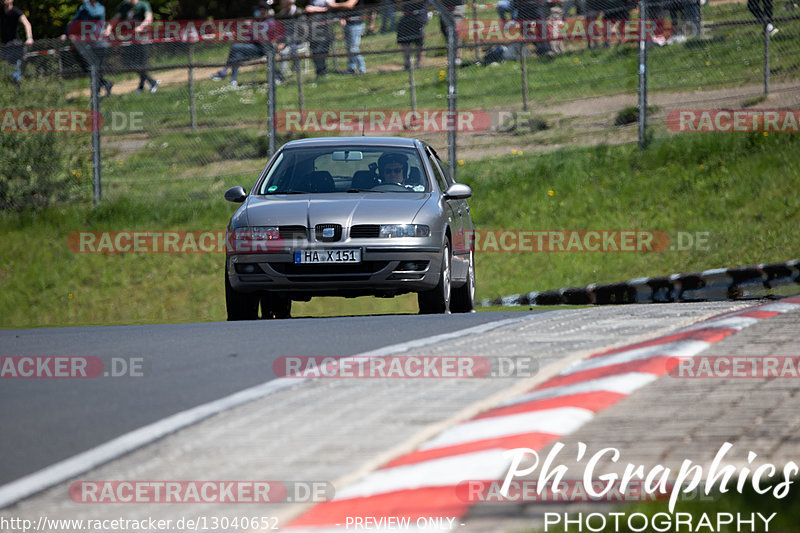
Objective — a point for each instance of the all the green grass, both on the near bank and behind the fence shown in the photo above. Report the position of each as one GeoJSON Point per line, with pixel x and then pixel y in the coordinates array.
{"type": "Point", "coordinates": [164, 176]}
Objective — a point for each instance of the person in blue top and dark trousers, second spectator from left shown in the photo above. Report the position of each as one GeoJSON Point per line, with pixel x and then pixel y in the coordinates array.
{"type": "Point", "coordinates": [88, 40]}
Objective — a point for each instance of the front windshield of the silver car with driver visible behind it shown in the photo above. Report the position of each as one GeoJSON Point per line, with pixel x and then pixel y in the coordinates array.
{"type": "Point", "coordinates": [346, 169]}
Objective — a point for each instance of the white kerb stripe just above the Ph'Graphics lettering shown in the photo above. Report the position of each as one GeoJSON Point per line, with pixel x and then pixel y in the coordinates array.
{"type": "Point", "coordinates": [559, 421]}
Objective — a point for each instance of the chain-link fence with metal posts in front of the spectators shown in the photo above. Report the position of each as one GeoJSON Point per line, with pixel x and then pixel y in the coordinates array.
{"type": "Point", "coordinates": [192, 107]}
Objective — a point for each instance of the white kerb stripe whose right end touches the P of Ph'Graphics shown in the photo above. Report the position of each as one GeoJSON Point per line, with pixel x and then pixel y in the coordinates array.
{"type": "Point", "coordinates": [444, 472]}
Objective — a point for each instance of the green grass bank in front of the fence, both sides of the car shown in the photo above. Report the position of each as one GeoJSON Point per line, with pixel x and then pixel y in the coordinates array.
{"type": "Point", "coordinates": [737, 187]}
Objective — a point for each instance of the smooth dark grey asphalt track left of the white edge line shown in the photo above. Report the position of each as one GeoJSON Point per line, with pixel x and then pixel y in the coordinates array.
{"type": "Point", "coordinates": [185, 365]}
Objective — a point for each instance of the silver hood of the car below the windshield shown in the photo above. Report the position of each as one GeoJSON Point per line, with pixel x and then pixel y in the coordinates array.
{"type": "Point", "coordinates": [346, 209]}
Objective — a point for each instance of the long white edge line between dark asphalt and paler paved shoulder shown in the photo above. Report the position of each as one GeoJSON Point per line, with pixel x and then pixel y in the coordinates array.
{"type": "Point", "coordinates": [68, 468]}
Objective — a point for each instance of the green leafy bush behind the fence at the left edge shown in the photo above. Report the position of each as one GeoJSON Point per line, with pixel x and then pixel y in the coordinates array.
{"type": "Point", "coordinates": [40, 168]}
